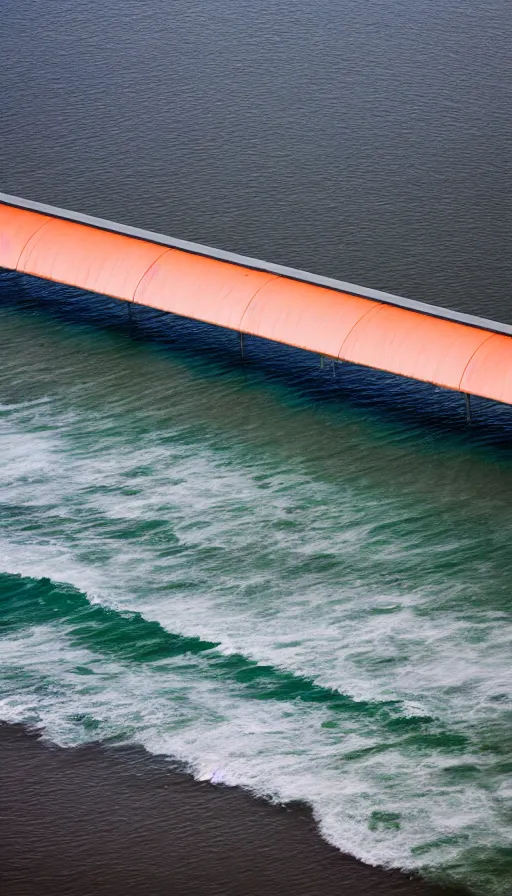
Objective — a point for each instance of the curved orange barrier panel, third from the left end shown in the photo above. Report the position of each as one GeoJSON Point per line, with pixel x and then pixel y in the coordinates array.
{"type": "Point", "coordinates": [199, 287]}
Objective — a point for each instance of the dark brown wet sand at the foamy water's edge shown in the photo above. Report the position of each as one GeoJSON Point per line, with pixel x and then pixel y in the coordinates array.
{"type": "Point", "coordinates": [114, 820]}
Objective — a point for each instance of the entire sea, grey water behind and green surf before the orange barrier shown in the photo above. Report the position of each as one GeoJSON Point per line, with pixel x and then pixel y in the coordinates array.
{"type": "Point", "coordinates": [292, 579]}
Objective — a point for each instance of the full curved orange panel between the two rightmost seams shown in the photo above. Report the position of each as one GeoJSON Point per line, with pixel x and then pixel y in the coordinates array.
{"type": "Point", "coordinates": [414, 345]}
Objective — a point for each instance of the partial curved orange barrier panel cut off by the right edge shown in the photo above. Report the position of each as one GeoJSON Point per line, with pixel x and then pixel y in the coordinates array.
{"type": "Point", "coordinates": [489, 372]}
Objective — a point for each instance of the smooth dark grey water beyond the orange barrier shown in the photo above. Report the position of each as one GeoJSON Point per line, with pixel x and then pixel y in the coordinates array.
{"type": "Point", "coordinates": [369, 141]}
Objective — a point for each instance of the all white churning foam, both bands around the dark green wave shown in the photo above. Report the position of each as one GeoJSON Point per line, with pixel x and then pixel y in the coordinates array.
{"type": "Point", "coordinates": [285, 568]}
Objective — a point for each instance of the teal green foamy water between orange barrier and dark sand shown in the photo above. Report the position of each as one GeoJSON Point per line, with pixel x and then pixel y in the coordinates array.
{"type": "Point", "coordinates": [284, 588]}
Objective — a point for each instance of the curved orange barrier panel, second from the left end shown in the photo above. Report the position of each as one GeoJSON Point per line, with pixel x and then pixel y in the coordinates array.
{"type": "Point", "coordinates": [92, 259]}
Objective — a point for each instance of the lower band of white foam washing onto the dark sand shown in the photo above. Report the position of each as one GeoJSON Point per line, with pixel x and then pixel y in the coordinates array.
{"type": "Point", "coordinates": [278, 750]}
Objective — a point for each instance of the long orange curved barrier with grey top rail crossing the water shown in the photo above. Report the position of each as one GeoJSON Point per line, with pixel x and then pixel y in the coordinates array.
{"type": "Point", "coordinates": [318, 314]}
